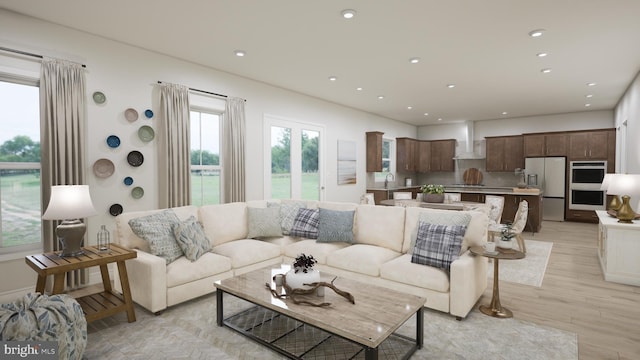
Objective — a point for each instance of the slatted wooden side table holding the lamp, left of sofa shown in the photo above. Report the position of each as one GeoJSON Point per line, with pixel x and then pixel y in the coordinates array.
{"type": "Point", "coordinates": [95, 306]}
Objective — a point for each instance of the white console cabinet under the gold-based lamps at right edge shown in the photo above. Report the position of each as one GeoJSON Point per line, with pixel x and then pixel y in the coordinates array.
{"type": "Point", "coordinates": [619, 249]}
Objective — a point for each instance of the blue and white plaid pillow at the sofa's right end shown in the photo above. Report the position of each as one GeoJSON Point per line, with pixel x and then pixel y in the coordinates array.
{"type": "Point", "coordinates": [438, 245]}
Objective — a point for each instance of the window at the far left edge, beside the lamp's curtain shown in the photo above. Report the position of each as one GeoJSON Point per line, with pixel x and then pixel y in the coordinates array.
{"type": "Point", "coordinates": [20, 212]}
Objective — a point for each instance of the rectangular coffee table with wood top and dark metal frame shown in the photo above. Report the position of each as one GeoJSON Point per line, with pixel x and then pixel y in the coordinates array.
{"type": "Point", "coordinates": [341, 330]}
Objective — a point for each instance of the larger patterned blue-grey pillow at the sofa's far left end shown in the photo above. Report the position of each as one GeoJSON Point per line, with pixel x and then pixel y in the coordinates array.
{"type": "Point", "coordinates": [157, 229]}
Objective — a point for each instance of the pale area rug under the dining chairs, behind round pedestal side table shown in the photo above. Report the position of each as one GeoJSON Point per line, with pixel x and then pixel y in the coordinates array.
{"type": "Point", "coordinates": [527, 271]}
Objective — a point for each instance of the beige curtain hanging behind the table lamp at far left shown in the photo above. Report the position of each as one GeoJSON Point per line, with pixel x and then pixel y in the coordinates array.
{"type": "Point", "coordinates": [62, 139]}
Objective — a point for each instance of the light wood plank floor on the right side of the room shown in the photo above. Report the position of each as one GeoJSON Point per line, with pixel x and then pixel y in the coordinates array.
{"type": "Point", "coordinates": [575, 297]}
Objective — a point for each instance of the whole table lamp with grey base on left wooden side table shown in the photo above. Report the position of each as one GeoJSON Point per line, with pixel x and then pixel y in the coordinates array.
{"type": "Point", "coordinates": [70, 203]}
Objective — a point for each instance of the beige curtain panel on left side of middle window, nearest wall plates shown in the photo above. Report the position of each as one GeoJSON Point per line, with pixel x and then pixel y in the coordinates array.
{"type": "Point", "coordinates": [174, 177]}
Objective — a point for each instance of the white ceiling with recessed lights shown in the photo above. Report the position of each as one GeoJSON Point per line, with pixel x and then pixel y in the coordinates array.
{"type": "Point", "coordinates": [481, 46]}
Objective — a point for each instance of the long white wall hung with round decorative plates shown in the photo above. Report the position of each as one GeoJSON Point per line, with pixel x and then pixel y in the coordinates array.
{"type": "Point", "coordinates": [128, 76]}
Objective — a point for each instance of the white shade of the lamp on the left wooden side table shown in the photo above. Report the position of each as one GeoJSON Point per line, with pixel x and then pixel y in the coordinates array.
{"type": "Point", "coordinates": [69, 202]}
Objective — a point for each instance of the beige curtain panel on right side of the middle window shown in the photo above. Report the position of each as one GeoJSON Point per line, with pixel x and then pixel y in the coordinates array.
{"type": "Point", "coordinates": [233, 151]}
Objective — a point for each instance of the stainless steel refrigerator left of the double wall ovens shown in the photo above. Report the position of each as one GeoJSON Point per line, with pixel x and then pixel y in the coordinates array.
{"type": "Point", "coordinates": [551, 176]}
